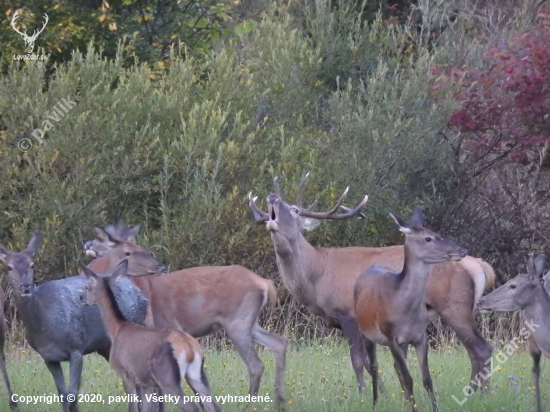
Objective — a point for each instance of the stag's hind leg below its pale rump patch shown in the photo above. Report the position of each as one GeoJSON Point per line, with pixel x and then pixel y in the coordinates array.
{"type": "Point", "coordinates": [479, 350]}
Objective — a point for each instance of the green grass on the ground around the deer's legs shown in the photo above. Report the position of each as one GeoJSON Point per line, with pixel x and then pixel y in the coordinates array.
{"type": "Point", "coordinates": [319, 378]}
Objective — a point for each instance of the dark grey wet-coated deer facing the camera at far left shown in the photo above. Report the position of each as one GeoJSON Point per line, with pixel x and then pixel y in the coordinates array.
{"type": "Point", "coordinates": [57, 324]}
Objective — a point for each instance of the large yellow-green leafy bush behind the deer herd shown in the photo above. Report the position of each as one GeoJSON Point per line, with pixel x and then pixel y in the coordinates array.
{"type": "Point", "coordinates": [178, 149]}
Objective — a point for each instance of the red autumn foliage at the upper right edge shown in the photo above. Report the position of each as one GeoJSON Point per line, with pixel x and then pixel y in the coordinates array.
{"type": "Point", "coordinates": [505, 108]}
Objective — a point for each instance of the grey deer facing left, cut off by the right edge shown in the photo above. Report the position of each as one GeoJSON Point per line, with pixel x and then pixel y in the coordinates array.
{"type": "Point", "coordinates": [525, 292]}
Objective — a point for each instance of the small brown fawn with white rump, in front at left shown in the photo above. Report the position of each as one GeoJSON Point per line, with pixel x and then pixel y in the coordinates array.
{"type": "Point", "coordinates": [146, 357]}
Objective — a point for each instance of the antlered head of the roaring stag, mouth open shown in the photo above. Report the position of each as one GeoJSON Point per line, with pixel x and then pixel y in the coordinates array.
{"type": "Point", "coordinates": [289, 220]}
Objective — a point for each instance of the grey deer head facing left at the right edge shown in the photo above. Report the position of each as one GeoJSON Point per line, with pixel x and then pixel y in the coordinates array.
{"type": "Point", "coordinates": [519, 292]}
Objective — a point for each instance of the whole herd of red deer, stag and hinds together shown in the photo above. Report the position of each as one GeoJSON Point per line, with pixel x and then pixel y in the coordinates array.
{"type": "Point", "coordinates": [144, 321]}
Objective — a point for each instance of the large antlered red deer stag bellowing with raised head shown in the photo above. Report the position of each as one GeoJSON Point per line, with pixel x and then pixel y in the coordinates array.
{"type": "Point", "coordinates": [322, 279]}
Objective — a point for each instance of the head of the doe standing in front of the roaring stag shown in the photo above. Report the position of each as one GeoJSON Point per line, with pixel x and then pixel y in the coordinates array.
{"type": "Point", "coordinates": [424, 244]}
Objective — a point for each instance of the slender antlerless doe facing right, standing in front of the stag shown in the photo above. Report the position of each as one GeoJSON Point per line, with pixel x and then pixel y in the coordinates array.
{"type": "Point", "coordinates": [390, 306]}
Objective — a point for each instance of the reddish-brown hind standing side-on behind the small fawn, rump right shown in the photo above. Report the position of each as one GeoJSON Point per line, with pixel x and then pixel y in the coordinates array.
{"type": "Point", "coordinates": [203, 300]}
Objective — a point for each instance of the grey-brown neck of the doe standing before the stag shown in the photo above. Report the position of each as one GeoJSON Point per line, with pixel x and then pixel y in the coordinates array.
{"type": "Point", "coordinates": [414, 280]}
